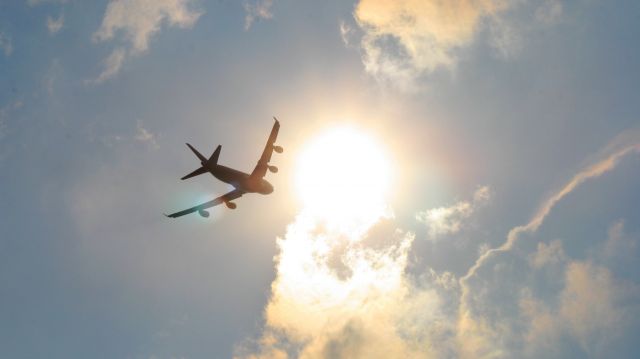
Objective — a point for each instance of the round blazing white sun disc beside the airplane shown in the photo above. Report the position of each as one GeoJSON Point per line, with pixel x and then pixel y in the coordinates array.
{"type": "Point", "coordinates": [343, 174]}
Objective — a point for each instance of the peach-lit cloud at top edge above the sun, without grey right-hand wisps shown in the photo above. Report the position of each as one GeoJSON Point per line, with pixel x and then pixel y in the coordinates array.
{"type": "Point", "coordinates": [406, 38]}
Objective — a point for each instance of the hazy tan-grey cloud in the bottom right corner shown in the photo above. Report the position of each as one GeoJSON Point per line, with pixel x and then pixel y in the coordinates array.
{"type": "Point", "coordinates": [592, 309]}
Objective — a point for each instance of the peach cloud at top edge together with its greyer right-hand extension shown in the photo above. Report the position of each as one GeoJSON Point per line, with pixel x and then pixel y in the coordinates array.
{"type": "Point", "coordinates": [407, 39]}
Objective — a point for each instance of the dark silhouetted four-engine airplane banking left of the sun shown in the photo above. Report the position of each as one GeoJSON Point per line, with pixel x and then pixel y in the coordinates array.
{"type": "Point", "coordinates": [242, 182]}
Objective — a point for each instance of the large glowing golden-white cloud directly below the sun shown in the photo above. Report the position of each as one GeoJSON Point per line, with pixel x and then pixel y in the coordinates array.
{"type": "Point", "coordinates": [362, 307]}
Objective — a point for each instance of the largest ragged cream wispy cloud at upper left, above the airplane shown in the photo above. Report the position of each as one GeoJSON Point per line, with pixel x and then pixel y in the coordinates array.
{"type": "Point", "coordinates": [138, 21]}
